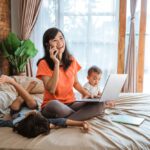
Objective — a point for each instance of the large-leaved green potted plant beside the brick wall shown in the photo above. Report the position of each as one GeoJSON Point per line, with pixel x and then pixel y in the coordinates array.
{"type": "Point", "coordinates": [18, 52]}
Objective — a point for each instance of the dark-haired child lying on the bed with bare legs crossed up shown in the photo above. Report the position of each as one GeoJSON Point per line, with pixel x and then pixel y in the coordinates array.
{"type": "Point", "coordinates": [26, 119]}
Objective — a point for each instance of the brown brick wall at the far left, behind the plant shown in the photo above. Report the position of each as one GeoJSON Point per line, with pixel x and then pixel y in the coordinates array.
{"type": "Point", "coordinates": [5, 28]}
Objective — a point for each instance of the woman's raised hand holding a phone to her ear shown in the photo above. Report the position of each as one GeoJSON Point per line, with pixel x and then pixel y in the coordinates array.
{"type": "Point", "coordinates": [54, 54]}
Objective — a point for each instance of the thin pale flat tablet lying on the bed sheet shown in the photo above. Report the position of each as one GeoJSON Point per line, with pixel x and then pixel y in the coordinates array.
{"type": "Point", "coordinates": [127, 119]}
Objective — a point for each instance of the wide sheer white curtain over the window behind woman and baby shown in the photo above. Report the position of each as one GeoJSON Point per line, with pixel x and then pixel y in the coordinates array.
{"type": "Point", "coordinates": [90, 28]}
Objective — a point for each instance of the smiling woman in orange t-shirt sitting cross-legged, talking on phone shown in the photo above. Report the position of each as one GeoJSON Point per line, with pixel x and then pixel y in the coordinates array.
{"type": "Point", "coordinates": [58, 70]}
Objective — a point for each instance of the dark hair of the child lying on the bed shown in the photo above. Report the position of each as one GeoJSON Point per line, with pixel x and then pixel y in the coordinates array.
{"type": "Point", "coordinates": [33, 125]}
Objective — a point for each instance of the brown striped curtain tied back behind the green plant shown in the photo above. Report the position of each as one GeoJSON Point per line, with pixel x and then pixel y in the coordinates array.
{"type": "Point", "coordinates": [29, 10]}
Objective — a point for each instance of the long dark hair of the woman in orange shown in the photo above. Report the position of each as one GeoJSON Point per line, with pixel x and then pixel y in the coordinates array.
{"type": "Point", "coordinates": [66, 57]}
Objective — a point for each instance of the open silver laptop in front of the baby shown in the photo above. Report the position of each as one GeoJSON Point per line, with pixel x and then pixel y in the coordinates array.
{"type": "Point", "coordinates": [111, 90]}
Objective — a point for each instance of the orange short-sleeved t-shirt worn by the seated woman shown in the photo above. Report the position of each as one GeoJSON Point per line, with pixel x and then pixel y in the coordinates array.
{"type": "Point", "coordinates": [64, 90]}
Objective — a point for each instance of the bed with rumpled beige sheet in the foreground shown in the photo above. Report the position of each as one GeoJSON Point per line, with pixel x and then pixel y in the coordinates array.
{"type": "Point", "coordinates": [104, 134]}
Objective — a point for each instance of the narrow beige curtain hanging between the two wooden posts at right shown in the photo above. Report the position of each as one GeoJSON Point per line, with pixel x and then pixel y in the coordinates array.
{"type": "Point", "coordinates": [130, 67]}
